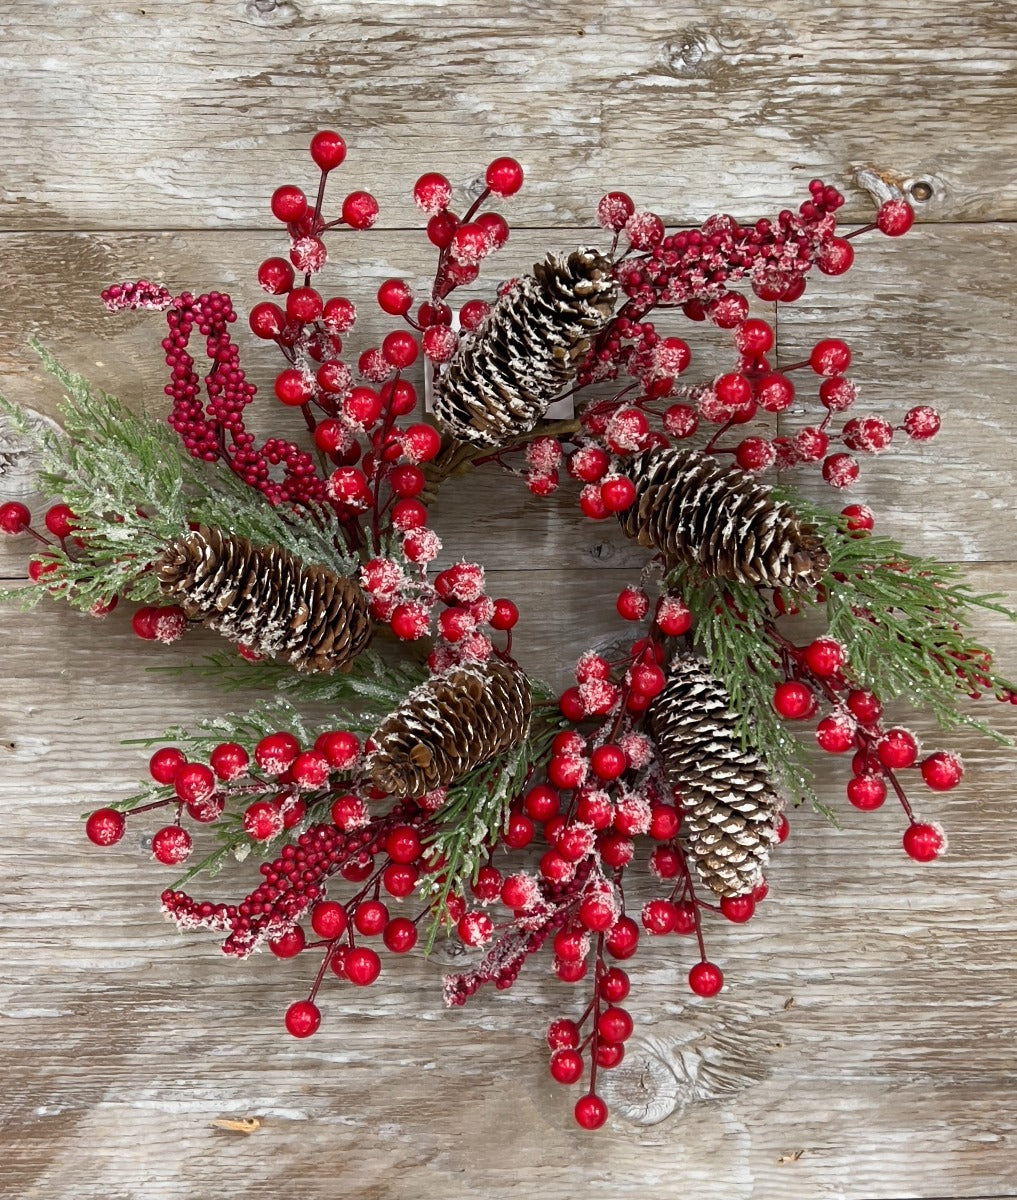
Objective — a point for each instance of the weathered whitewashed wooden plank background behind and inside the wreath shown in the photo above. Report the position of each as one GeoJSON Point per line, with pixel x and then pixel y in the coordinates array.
{"type": "Point", "coordinates": [865, 1043]}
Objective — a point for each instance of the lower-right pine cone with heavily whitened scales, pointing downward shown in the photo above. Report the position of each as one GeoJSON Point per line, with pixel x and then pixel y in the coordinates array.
{"type": "Point", "coordinates": [731, 809]}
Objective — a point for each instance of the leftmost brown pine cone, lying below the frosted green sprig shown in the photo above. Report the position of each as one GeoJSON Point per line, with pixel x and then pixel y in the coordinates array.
{"type": "Point", "coordinates": [266, 598]}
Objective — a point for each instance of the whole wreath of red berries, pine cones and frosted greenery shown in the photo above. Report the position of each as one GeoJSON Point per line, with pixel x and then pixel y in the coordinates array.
{"type": "Point", "coordinates": [447, 793]}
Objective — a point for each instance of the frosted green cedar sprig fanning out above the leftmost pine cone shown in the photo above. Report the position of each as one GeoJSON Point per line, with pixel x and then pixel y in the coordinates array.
{"type": "Point", "coordinates": [134, 488]}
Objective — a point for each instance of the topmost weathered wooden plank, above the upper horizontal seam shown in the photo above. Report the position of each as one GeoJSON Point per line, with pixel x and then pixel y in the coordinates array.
{"type": "Point", "coordinates": [180, 112]}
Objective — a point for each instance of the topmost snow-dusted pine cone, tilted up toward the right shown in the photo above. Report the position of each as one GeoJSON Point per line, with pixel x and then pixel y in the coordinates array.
{"type": "Point", "coordinates": [503, 380]}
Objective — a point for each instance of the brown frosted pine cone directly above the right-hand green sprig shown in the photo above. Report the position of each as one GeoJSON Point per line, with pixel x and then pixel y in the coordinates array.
{"type": "Point", "coordinates": [695, 511]}
